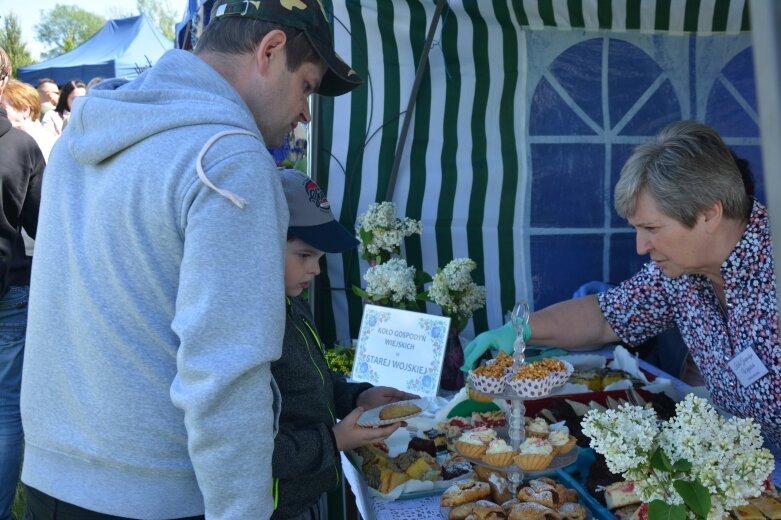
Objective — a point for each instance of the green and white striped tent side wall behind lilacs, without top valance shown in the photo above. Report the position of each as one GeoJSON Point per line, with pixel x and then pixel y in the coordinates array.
{"type": "Point", "coordinates": [463, 129]}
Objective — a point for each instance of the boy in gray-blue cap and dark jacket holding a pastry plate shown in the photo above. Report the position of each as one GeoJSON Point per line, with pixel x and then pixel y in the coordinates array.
{"type": "Point", "coordinates": [306, 461]}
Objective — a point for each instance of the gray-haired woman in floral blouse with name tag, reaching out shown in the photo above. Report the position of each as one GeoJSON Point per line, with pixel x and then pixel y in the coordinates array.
{"type": "Point", "coordinates": [711, 273]}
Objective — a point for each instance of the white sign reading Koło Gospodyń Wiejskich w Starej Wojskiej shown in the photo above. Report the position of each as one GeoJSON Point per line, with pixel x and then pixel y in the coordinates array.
{"type": "Point", "coordinates": [401, 349]}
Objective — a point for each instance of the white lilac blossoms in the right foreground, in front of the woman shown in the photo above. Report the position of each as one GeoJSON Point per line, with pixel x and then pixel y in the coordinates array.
{"type": "Point", "coordinates": [726, 455]}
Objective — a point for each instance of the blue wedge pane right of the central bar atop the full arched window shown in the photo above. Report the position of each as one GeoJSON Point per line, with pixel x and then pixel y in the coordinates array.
{"type": "Point", "coordinates": [631, 72]}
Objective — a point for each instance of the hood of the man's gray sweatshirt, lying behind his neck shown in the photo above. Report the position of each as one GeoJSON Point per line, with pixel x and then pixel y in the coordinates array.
{"type": "Point", "coordinates": [178, 91]}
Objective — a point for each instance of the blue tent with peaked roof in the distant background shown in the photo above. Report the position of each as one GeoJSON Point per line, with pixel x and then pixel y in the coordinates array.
{"type": "Point", "coordinates": [122, 48]}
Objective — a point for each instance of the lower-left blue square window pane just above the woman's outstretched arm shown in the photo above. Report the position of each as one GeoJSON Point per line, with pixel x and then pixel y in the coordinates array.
{"type": "Point", "coordinates": [562, 263]}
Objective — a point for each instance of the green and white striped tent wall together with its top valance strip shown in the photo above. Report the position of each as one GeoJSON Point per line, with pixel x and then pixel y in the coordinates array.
{"type": "Point", "coordinates": [464, 171]}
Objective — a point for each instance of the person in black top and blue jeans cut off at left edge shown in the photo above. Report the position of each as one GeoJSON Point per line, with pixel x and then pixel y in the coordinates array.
{"type": "Point", "coordinates": [21, 169]}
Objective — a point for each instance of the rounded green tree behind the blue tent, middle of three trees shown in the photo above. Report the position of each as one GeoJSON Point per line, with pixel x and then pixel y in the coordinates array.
{"type": "Point", "coordinates": [65, 27]}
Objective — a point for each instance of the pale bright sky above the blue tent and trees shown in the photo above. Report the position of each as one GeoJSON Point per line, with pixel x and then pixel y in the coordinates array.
{"type": "Point", "coordinates": [29, 13]}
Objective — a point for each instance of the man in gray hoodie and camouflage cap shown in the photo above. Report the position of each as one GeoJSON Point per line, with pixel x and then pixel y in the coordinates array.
{"type": "Point", "coordinates": [157, 302]}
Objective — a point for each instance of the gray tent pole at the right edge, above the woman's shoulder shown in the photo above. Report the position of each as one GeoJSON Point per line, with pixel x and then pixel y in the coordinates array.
{"type": "Point", "coordinates": [766, 36]}
